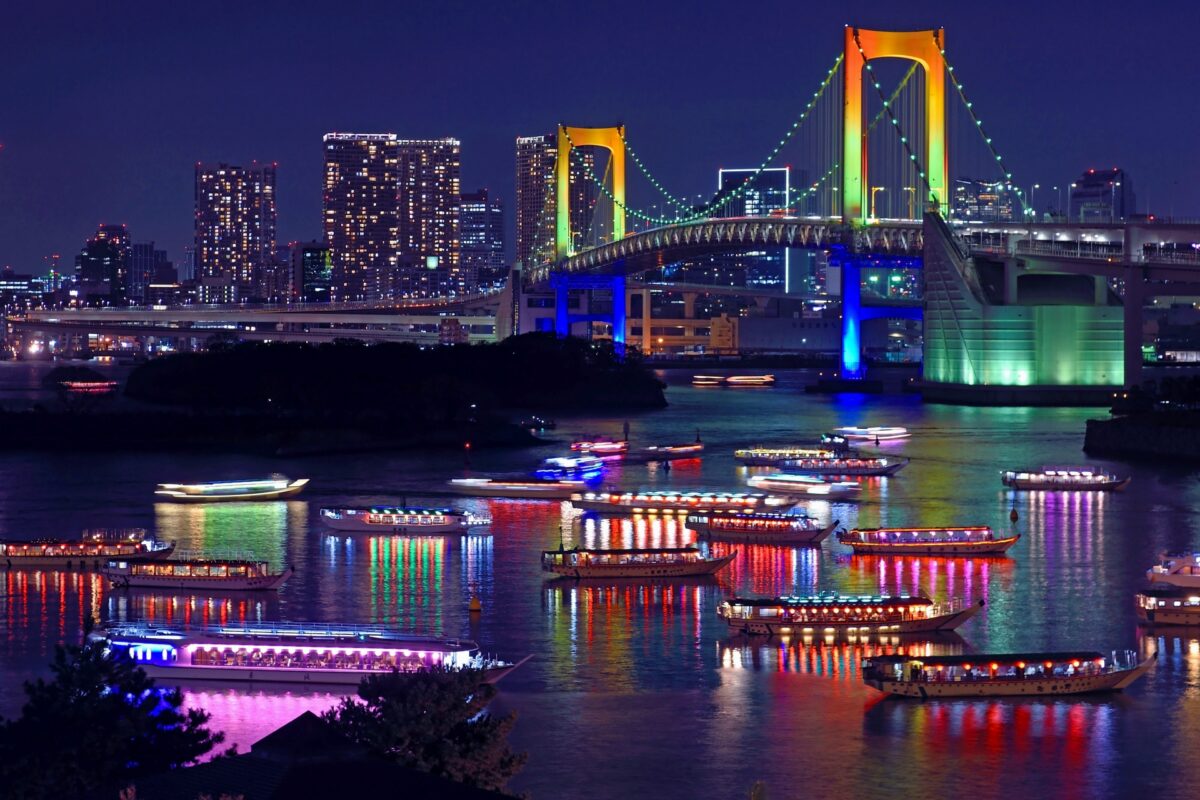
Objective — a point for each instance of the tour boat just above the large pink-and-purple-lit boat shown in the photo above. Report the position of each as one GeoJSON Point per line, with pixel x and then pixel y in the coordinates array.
{"type": "Point", "coordinates": [229, 575]}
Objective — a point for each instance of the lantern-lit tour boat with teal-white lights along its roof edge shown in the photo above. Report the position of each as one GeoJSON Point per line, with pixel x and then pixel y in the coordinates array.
{"type": "Point", "coordinates": [832, 612]}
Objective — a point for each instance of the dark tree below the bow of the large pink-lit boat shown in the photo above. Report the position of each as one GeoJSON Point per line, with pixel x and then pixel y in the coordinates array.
{"type": "Point", "coordinates": [435, 721]}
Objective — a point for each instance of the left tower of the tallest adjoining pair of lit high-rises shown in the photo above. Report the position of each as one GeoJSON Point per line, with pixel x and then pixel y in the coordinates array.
{"type": "Point", "coordinates": [362, 214]}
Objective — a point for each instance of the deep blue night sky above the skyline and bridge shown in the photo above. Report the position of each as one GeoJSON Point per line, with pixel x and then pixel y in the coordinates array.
{"type": "Point", "coordinates": [105, 107]}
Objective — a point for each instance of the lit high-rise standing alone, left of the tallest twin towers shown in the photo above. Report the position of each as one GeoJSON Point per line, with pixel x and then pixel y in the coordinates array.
{"type": "Point", "coordinates": [235, 228]}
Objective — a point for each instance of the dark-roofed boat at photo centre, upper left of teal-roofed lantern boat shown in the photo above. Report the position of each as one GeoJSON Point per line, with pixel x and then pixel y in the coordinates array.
{"type": "Point", "coordinates": [653, 563]}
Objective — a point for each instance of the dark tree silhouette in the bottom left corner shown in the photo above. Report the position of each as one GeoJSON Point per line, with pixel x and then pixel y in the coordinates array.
{"type": "Point", "coordinates": [95, 725]}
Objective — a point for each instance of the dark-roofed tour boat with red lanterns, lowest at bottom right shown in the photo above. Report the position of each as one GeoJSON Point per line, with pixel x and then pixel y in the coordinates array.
{"type": "Point", "coordinates": [1011, 675]}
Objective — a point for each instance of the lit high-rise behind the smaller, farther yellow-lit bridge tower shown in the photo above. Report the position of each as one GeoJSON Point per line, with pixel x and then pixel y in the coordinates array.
{"type": "Point", "coordinates": [537, 199]}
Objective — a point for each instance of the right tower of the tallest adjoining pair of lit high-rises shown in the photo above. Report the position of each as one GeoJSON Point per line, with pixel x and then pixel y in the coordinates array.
{"type": "Point", "coordinates": [430, 188]}
